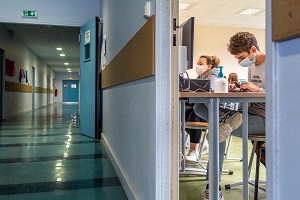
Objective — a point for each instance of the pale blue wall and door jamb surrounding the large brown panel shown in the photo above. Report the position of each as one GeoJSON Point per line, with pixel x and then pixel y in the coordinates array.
{"type": "Point", "coordinates": [133, 127]}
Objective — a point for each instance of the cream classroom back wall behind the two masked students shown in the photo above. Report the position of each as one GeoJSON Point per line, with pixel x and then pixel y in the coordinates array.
{"type": "Point", "coordinates": [212, 40]}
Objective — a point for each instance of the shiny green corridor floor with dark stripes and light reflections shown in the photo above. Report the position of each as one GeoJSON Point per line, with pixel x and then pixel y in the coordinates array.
{"type": "Point", "coordinates": [44, 156]}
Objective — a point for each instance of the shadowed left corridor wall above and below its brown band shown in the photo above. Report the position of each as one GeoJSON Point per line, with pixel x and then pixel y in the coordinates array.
{"type": "Point", "coordinates": [17, 102]}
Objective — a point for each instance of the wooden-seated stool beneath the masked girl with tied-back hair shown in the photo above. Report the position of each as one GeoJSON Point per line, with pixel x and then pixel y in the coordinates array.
{"type": "Point", "coordinates": [202, 126]}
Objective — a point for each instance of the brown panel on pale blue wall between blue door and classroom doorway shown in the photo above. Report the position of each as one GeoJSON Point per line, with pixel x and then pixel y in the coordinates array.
{"type": "Point", "coordinates": [135, 61]}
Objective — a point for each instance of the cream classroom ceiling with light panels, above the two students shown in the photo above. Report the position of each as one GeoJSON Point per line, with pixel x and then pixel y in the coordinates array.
{"type": "Point", "coordinates": [224, 13]}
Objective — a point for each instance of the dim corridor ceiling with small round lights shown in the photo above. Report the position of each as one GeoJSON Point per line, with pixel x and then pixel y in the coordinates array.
{"type": "Point", "coordinates": [43, 41]}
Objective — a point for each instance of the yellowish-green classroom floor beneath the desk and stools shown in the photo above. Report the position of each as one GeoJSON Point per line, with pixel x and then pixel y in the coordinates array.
{"type": "Point", "coordinates": [192, 187]}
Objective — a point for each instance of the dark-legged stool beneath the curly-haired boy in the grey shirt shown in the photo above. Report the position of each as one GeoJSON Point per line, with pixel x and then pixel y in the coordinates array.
{"type": "Point", "coordinates": [256, 139]}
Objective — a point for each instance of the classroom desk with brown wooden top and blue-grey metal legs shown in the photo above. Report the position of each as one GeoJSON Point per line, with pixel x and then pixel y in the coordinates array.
{"type": "Point", "coordinates": [214, 99]}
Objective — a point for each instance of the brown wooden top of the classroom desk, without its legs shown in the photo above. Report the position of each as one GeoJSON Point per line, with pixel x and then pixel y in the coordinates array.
{"type": "Point", "coordinates": [223, 95]}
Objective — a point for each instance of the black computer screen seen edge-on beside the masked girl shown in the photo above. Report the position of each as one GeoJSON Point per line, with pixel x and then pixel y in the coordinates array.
{"type": "Point", "coordinates": [186, 38]}
